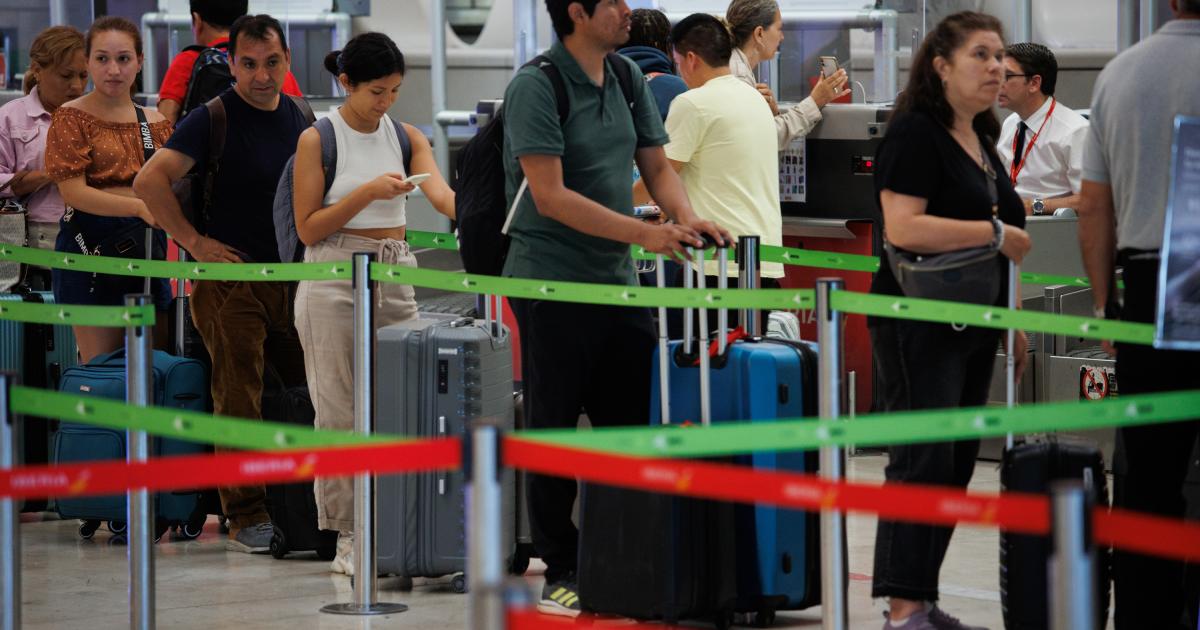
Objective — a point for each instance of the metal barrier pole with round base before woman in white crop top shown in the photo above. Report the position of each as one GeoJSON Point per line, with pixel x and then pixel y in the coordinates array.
{"type": "Point", "coordinates": [367, 579]}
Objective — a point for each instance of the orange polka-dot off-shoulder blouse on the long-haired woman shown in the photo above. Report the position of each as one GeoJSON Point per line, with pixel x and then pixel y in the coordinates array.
{"type": "Point", "coordinates": [107, 154]}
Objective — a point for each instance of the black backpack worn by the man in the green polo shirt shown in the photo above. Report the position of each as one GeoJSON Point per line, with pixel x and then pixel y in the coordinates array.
{"type": "Point", "coordinates": [481, 203]}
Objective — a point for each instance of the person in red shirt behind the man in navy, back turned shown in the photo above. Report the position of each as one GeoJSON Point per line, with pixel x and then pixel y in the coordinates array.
{"type": "Point", "coordinates": [211, 25]}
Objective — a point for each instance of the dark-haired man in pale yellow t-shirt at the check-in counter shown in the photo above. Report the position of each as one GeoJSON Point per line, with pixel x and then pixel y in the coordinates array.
{"type": "Point", "coordinates": [723, 141]}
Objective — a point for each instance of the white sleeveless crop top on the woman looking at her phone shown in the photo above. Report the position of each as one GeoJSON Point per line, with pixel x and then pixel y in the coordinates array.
{"type": "Point", "coordinates": [363, 158]}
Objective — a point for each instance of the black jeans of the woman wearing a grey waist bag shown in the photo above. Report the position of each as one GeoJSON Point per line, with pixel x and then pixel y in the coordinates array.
{"type": "Point", "coordinates": [926, 367]}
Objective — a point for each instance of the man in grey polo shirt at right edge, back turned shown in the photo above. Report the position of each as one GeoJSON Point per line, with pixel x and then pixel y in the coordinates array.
{"type": "Point", "coordinates": [1121, 217]}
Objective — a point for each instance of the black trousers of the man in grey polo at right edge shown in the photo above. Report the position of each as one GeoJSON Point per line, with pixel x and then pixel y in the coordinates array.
{"type": "Point", "coordinates": [1150, 590]}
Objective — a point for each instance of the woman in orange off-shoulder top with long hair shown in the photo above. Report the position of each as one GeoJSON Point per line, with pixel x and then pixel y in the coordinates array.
{"type": "Point", "coordinates": [95, 147]}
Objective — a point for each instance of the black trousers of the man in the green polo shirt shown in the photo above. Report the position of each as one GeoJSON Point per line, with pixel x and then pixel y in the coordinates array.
{"type": "Point", "coordinates": [578, 358]}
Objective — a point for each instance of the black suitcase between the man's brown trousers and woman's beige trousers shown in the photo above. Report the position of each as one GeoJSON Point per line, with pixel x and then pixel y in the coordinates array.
{"type": "Point", "coordinates": [293, 507]}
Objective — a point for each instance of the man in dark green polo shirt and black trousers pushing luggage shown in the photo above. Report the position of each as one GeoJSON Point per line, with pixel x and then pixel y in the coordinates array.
{"type": "Point", "coordinates": [577, 225]}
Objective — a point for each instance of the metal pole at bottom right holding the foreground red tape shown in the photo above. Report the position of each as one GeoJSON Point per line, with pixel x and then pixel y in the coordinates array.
{"type": "Point", "coordinates": [1073, 563]}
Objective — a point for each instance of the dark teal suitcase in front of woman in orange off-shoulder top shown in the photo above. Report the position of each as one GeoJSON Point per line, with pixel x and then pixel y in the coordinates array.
{"type": "Point", "coordinates": [178, 383]}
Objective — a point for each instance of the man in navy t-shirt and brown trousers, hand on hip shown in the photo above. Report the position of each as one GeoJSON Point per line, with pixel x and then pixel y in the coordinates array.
{"type": "Point", "coordinates": [244, 325]}
